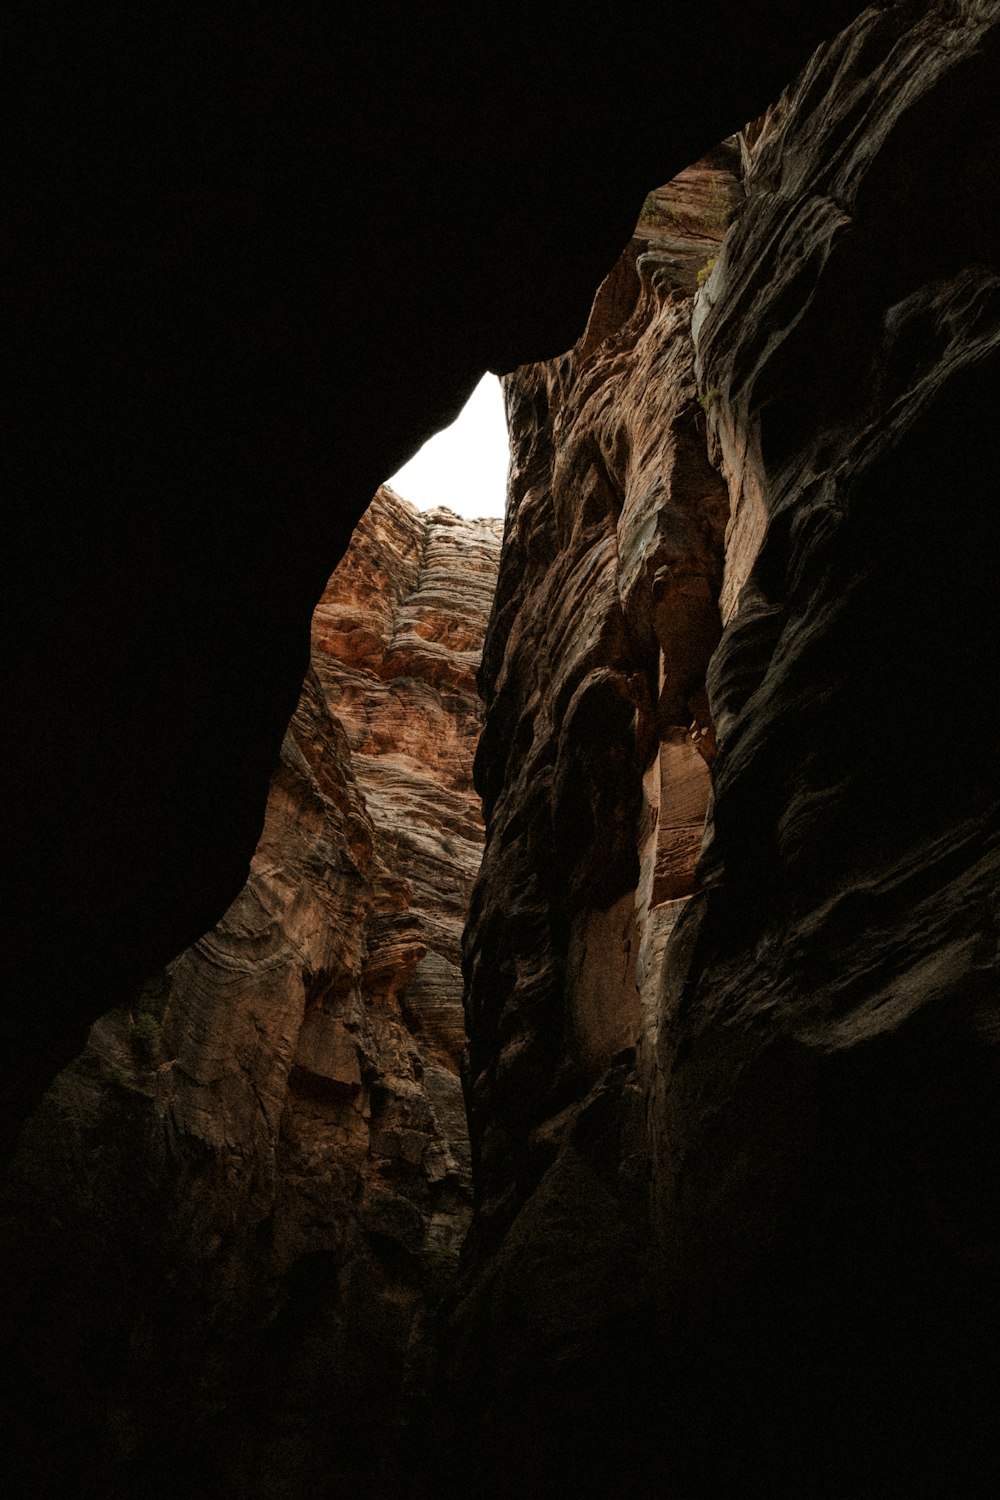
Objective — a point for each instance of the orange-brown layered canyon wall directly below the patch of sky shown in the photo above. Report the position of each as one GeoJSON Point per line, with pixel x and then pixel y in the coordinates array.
{"type": "Point", "coordinates": [229, 1220]}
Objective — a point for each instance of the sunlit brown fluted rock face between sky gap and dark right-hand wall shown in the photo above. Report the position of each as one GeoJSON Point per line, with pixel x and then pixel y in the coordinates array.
{"type": "Point", "coordinates": [594, 679]}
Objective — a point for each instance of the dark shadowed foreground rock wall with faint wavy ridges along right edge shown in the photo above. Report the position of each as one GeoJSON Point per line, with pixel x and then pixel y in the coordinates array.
{"type": "Point", "coordinates": [827, 1127]}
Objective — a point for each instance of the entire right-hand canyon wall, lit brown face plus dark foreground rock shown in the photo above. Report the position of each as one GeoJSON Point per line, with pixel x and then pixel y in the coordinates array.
{"type": "Point", "coordinates": [737, 1127]}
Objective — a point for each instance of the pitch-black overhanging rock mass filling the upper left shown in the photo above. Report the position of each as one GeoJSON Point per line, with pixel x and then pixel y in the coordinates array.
{"type": "Point", "coordinates": [259, 256]}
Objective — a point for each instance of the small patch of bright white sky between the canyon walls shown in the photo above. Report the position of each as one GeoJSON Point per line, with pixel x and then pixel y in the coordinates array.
{"type": "Point", "coordinates": [464, 467]}
